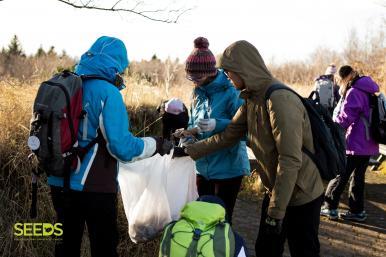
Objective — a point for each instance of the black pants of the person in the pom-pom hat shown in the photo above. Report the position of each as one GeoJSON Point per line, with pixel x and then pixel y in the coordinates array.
{"type": "Point", "coordinates": [226, 189]}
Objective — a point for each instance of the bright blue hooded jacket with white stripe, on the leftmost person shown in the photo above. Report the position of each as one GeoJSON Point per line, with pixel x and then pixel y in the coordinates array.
{"type": "Point", "coordinates": [105, 110]}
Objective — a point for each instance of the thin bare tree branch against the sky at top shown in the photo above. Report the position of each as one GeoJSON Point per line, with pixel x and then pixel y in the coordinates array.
{"type": "Point", "coordinates": [172, 15]}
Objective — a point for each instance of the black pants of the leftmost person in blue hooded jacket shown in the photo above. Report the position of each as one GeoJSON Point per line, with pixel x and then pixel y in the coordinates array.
{"type": "Point", "coordinates": [97, 210]}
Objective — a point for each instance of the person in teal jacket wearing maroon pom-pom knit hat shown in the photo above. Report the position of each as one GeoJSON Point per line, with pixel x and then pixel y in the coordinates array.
{"type": "Point", "coordinates": [215, 101]}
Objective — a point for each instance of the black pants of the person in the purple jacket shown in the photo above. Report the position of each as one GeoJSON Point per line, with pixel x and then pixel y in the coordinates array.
{"type": "Point", "coordinates": [355, 172]}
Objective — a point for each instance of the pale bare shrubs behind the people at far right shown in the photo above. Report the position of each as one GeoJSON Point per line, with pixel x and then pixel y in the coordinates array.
{"type": "Point", "coordinates": [367, 56]}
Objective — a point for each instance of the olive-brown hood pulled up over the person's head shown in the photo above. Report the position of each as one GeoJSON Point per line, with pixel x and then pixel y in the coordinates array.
{"type": "Point", "coordinates": [244, 59]}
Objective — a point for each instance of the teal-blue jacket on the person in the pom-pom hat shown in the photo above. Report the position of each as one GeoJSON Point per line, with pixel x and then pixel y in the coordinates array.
{"type": "Point", "coordinates": [219, 100]}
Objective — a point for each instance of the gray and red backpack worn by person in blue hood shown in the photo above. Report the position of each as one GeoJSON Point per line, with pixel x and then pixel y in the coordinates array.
{"type": "Point", "coordinates": [56, 115]}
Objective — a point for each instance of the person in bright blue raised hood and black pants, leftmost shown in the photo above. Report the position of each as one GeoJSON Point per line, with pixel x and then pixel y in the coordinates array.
{"type": "Point", "coordinates": [92, 198]}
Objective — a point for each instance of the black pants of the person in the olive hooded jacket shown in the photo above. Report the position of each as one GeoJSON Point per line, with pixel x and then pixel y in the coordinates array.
{"type": "Point", "coordinates": [300, 228]}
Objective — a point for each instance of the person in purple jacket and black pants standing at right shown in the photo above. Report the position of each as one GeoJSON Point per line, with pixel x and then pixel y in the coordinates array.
{"type": "Point", "coordinates": [351, 113]}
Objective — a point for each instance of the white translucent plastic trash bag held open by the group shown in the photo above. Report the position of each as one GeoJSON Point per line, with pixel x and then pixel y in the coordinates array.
{"type": "Point", "coordinates": [154, 190]}
